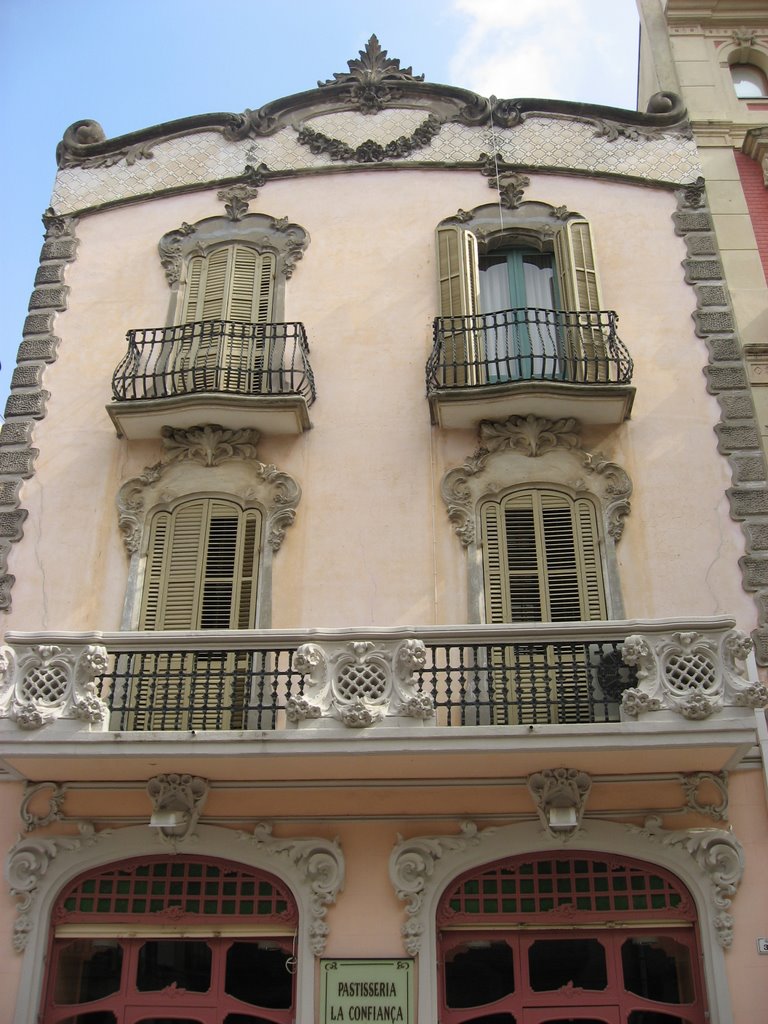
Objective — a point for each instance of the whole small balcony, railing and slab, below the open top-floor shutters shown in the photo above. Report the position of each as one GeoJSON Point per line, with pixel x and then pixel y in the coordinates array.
{"type": "Point", "coordinates": [520, 362]}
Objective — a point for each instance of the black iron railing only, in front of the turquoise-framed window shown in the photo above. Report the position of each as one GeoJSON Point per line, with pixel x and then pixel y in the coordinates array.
{"type": "Point", "coordinates": [524, 346]}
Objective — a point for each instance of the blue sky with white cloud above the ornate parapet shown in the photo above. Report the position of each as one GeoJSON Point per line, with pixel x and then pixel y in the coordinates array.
{"type": "Point", "coordinates": [130, 66]}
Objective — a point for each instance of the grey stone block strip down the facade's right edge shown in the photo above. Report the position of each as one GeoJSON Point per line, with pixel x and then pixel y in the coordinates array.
{"type": "Point", "coordinates": [739, 432]}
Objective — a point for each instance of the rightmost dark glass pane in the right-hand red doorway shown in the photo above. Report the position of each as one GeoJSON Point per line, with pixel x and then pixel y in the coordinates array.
{"type": "Point", "coordinates": [658, 968]}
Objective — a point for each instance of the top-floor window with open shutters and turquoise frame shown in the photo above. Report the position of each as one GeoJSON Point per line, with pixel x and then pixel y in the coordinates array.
{"type": "Point", "coordinates": [524, 305]}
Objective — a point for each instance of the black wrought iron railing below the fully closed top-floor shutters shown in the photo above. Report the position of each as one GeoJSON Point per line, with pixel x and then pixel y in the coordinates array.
{"type": "Point", "coordinates": [216, 357]}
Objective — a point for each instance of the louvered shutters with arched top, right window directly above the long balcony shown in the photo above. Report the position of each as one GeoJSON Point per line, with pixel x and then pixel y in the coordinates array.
{"type": "Point", "coordinates": [541, 560]}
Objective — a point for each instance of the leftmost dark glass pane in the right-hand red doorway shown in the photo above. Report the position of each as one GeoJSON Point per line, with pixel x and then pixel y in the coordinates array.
{"type": "Point", "coordinates": [479, 973]}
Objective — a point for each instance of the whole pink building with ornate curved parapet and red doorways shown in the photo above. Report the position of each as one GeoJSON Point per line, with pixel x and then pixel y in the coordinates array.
{"type": "Point", "coordinates": [438, 711]}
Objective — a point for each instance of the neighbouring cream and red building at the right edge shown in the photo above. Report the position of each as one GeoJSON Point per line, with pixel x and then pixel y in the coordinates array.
{"type": "Point", "coordinates": [715, 55]}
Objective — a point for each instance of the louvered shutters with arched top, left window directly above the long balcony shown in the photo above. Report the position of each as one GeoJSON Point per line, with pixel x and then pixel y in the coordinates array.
{"type": "Point", "coordinates": [202, 568]}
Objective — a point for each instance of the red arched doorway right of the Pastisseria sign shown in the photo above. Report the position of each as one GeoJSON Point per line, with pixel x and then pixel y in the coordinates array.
{"type": "Point", "coordinates": [561, 937]}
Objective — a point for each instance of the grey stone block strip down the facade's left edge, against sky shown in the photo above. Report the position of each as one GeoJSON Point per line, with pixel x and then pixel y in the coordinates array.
{"type": "Point", "coordinates": [27, 401]}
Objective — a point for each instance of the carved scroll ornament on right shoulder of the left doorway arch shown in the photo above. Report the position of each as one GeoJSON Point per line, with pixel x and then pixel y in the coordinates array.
{"type": "Point", "coordinates": [321, 864]}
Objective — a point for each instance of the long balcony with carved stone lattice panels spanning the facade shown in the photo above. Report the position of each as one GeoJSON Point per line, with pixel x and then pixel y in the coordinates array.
{"type": "Point", "coordinates": [622, 693]}
